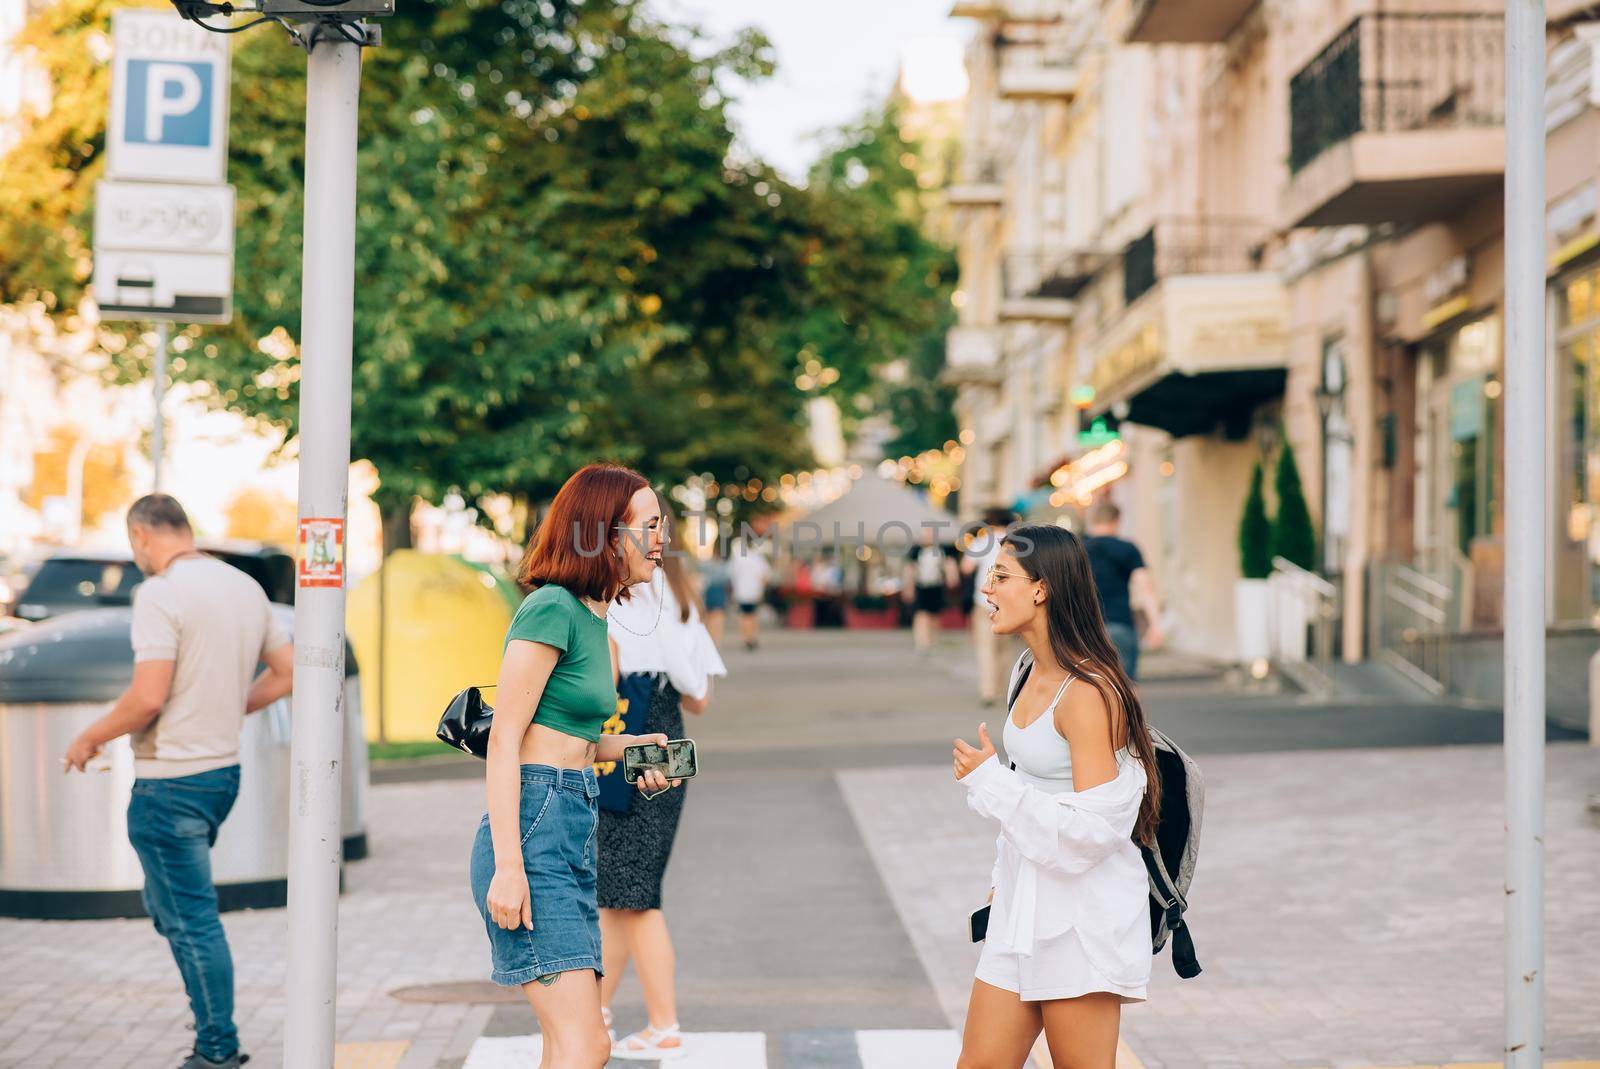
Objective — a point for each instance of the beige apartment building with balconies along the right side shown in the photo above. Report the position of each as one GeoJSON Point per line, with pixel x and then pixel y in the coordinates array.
{"type": "Point", "coordinates": [1226, 225]}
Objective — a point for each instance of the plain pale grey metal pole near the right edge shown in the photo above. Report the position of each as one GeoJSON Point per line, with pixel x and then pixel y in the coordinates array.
{"type": "Point", "coordinates": [1526, 534]}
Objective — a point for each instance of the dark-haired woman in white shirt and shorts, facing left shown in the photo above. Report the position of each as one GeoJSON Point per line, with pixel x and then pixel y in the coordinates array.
{"type": "Point", "coordinates": [1070, 929]}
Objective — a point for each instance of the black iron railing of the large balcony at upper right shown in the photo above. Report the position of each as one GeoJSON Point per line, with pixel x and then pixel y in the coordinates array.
{"type": "Point", "coordinates": [1393, 73]}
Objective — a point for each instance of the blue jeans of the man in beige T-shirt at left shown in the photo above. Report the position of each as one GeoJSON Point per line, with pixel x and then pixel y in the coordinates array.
{"type": "Point", "coordinates": [172, 825]}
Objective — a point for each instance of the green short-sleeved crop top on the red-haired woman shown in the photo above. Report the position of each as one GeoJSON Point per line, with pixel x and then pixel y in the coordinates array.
{"type": "Point", "coordinates": [580, 695]}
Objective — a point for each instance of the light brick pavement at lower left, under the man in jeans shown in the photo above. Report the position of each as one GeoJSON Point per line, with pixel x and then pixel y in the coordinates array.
{"type": "Point", "coordinates": [106, 993]}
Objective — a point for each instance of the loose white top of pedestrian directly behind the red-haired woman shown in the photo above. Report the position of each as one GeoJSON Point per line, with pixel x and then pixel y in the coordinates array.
{"type": "Point", "coordinates": [684, 651]}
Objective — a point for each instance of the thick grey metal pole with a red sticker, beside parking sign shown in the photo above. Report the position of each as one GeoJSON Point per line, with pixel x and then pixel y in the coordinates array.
{"type": "Point", "coordinates": [334, 76]}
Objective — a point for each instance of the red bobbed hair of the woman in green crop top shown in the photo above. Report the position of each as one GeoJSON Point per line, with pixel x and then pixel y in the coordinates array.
{"type": "Point", "coordinates": [577, 547]}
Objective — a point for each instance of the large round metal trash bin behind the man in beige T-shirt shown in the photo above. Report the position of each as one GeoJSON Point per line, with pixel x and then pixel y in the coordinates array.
{"type": "Point", "coordinates": [65, 839]}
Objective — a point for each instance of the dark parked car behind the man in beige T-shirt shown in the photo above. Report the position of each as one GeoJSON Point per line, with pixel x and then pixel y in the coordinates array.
{"type": "Point", "coordinates": [76, 580]}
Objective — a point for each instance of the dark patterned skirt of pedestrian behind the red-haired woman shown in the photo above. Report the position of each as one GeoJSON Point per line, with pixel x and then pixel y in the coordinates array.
{"type": "Point", "coordinates": [636, 846]}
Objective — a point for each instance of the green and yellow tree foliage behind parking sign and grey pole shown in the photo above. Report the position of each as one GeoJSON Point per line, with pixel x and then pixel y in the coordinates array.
{"type": "Point", "coordinates": [556, 260]}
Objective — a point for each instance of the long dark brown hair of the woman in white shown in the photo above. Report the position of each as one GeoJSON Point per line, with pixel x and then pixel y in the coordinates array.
{"type": "Point", "coordinates": [1078, 633]}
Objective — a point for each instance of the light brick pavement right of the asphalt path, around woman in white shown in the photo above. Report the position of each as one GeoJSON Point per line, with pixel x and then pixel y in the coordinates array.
{"type": "Point", "coordinates": [1348, 908]}
